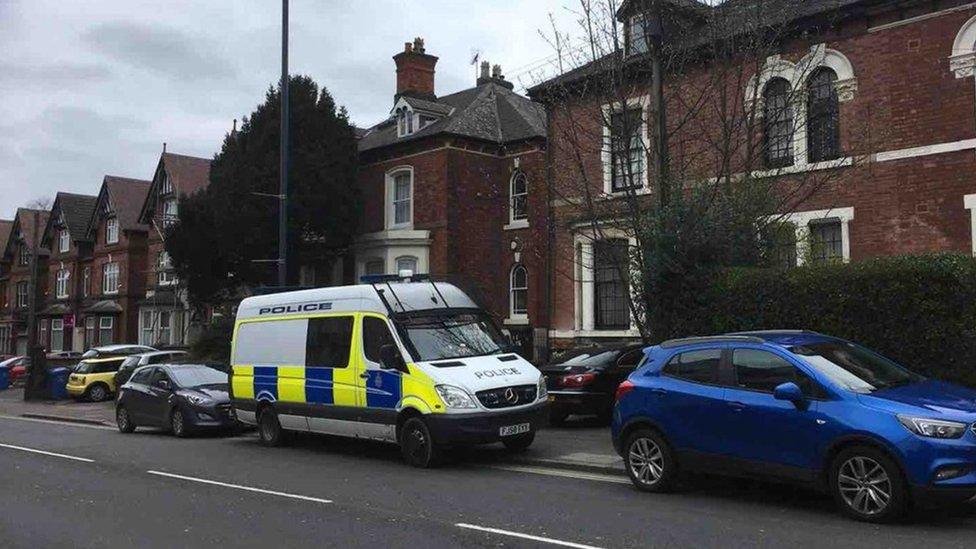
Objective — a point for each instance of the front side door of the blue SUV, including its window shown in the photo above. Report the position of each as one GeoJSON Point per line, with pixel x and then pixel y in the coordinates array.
{"type": "Point", "coordinates": [765, 431]}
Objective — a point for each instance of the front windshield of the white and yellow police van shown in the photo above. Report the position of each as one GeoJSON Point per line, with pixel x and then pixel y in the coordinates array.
{"type": "Point", "coordinates": [457, 335]}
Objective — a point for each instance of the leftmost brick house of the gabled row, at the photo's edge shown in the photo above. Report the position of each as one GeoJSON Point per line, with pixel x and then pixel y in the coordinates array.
{"type": "Point", "coordinates": [15, 279]}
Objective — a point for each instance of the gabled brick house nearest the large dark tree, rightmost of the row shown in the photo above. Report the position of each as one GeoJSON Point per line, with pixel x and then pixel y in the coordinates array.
{"type": "Point", "coordinates": [164, 314]}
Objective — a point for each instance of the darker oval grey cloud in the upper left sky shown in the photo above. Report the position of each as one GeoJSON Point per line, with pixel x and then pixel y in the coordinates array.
{"type": "Point", "coordinates": [166, 51]}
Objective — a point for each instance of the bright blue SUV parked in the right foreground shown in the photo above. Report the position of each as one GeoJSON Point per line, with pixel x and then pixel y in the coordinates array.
{"type": "Point", "coordinates": [798, 406]}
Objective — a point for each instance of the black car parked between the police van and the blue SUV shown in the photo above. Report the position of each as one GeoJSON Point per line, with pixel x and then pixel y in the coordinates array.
{"type": "Point", "coordinates": [584, 382]}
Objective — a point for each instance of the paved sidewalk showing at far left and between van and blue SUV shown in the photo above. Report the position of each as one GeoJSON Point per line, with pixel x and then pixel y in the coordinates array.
{"type": "Point", "coordinates": [580, 444]}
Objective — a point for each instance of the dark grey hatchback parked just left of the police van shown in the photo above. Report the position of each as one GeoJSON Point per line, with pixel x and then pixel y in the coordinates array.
{"type": "Point", "coordinates": [180, 397]}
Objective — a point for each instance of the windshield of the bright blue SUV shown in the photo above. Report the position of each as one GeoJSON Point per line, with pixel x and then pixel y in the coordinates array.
{"type": "Point", "coordinates": [855, 367]}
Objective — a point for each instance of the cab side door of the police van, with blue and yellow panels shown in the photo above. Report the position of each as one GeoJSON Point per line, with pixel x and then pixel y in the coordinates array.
{"type": "Point", "coordinates": [382, 389]}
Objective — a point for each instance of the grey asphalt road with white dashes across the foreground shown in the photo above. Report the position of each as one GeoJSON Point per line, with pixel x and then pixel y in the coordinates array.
{"type": "Point", "coordinates": [99, 488]}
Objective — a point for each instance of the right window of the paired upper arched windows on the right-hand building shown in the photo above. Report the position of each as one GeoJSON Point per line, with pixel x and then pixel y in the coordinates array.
{"type": "Point", "coordinates": [823, 113]}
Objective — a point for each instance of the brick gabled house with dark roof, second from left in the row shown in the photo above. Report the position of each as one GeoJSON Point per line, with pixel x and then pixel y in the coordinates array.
{"type": "Point", "coordinates": [68, 272]}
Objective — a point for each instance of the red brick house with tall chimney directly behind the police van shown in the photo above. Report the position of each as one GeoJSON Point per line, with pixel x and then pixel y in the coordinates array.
{"type": "Point", "coordinates": [454, 185]}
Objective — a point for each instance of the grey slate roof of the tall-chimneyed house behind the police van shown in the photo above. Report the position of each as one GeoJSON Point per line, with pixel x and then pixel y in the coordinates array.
{"type": "Point", "coordinates": [489, 112]}
